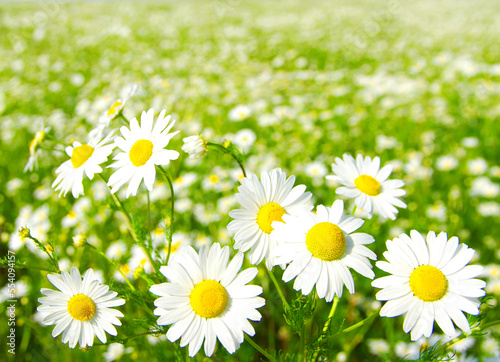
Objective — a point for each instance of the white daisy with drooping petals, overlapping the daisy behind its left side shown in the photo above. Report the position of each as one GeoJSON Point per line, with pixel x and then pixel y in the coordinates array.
{"type": "Point", "coordinates": [321, 248]}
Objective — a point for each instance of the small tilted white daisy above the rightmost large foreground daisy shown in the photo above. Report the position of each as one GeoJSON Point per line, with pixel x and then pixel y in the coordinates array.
{"type": "Point", "coordinates": [364, 181]}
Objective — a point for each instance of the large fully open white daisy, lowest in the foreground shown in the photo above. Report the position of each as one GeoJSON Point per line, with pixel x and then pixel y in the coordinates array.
{"type": "Point", "coordinates": [207, 299]}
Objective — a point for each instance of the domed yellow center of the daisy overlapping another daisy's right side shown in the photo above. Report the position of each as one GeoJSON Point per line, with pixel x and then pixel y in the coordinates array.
{"type": "Point", "coordinates": [325, 241]}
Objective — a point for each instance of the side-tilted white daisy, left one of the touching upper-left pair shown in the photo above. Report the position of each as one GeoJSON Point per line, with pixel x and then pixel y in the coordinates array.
{"type": "Point", "coordinates": [84, 158]}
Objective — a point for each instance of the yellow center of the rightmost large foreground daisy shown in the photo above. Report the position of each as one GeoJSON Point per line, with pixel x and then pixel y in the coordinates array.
{"type": "Point", "coordinates": [428, 283]}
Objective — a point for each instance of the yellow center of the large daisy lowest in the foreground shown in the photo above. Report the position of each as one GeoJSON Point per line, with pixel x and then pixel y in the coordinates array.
{"type": "Point", "coordinates": [208, 299]}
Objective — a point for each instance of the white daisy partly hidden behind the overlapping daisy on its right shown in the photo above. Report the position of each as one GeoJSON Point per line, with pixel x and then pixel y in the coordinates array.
{"type": "Point", "coordinates": [264, 201]}
